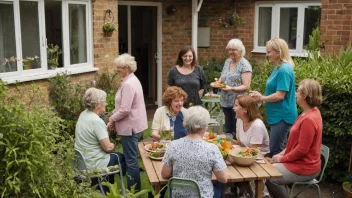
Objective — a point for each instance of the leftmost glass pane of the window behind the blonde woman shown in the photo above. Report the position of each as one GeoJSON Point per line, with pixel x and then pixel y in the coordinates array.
{"type": "Point", "coordinates": [264, 25]}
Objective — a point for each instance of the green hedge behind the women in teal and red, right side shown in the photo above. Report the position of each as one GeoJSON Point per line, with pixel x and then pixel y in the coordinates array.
{"type": "Point", "coordinates": [334, 73]}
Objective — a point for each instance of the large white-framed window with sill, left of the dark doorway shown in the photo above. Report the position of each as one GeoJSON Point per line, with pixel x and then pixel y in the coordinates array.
{"type": "Point", "coordinates": [28, 27]}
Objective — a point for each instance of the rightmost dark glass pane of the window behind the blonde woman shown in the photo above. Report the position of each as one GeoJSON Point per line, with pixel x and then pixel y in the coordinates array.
{"type": "Point", "coordinates": [311, 21]}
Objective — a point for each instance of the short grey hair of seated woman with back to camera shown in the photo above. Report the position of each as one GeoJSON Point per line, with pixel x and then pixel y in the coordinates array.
{"type": "Point", "coordinates": [195, 119]}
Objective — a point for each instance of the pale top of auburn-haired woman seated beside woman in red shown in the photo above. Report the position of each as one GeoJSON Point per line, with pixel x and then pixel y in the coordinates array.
{"type": "Point", "coordinates": [256, 134]}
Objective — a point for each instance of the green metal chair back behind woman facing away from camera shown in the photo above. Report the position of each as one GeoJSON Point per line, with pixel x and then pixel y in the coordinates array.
{"type": "Point", "coordinates": [184, 184]}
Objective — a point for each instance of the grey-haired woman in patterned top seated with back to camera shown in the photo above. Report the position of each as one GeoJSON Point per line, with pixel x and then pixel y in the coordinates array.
{"type": "Point", "coordinates": [193, 158]}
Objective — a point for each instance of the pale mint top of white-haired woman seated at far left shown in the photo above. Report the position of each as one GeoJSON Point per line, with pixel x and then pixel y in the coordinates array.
{"type": "Point", "coordinates": [90, 129]}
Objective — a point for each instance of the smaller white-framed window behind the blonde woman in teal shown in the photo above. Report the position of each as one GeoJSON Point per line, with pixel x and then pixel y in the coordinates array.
{"type": "Point", "coordinates": [291, 22]}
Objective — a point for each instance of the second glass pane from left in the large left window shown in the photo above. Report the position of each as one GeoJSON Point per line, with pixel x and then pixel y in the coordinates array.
{"type": "Point", "coordinates": [30, 34]}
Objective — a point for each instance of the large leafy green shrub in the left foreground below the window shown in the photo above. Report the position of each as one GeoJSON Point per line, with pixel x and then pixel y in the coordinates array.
{"type": "Point", "coordinates": [35, 156]}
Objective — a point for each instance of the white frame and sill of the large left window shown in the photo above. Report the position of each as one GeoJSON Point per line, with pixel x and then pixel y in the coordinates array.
{"type": "Point", "coordinates": [44, 72]}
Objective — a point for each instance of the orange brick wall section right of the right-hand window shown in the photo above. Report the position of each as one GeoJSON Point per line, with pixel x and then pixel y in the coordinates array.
{"type": "Point", "coordinates": [336, 24]}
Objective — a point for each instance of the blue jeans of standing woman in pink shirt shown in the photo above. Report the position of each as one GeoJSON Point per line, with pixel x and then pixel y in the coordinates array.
{"type": "Point", "coordinates": [130, 150]}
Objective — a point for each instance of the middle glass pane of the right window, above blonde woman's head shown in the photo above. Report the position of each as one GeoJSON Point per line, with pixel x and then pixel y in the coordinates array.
{"type": "Point", "coordinates": [288, 26]}
